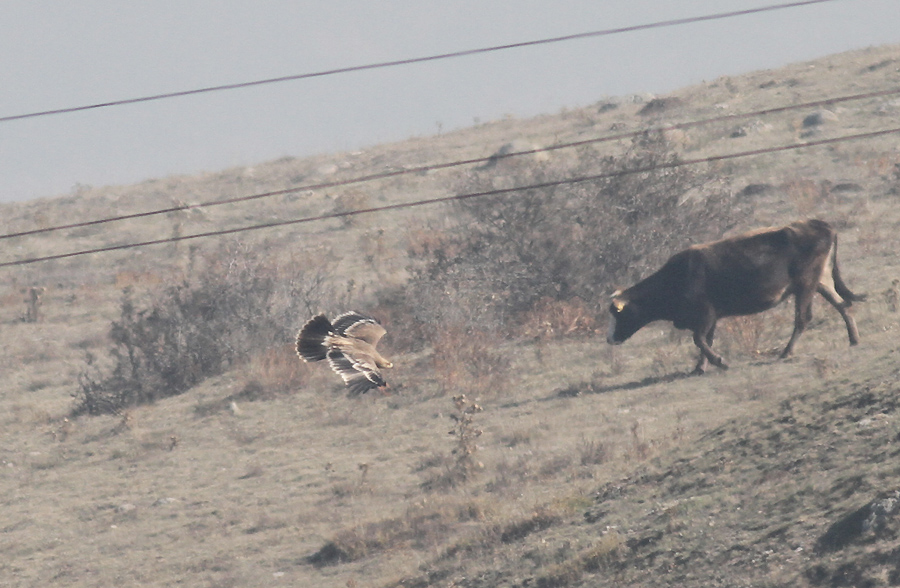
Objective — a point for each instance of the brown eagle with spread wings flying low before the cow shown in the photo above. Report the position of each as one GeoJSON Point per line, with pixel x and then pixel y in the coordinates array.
{"type": "Point", "coordinates": [348, 343]}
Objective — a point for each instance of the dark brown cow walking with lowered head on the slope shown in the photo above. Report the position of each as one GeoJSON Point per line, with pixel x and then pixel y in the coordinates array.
{"type": "Point", "coordinates": [740, 275]}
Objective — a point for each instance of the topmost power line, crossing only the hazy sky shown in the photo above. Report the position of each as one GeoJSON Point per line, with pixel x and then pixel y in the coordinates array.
{"type": "Point", "coordinates": [400, 62]}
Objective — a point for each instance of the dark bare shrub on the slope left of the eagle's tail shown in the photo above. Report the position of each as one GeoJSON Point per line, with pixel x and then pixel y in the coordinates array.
{"type": "Point", "coordinates": [237, 305]}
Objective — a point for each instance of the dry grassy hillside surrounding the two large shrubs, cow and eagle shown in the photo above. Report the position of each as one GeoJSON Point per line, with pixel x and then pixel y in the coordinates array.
{"type": "Point", "coordinates": [587, 465]}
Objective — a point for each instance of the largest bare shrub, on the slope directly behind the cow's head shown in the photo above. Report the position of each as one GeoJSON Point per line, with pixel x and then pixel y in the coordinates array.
{"type": "Point", "coordinates": [509, 257]}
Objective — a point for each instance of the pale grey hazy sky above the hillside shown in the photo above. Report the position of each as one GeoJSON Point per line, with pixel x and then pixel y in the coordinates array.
{"type": "Point", "coordinates": [62, 54]}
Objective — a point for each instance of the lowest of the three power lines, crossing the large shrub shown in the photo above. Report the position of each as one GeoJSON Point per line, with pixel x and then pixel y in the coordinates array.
{"type": "Point", "coordinates": [459, 197]}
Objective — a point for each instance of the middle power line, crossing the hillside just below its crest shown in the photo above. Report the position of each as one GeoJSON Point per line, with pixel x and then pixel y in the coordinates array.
{"type": "Point", "coordinates": [458, 163]}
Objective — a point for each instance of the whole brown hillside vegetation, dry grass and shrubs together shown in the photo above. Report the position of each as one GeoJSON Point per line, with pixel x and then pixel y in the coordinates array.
{"type": "Point", "coordinates": [227, 462]}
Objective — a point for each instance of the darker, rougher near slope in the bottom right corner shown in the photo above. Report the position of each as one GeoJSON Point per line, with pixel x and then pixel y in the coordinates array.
{"type": "Point", "coordinates": [807, 493]}
